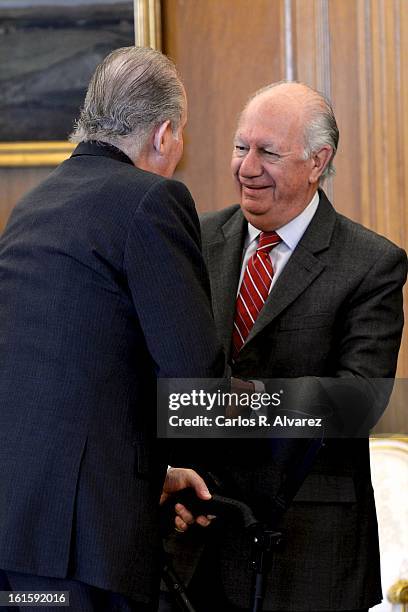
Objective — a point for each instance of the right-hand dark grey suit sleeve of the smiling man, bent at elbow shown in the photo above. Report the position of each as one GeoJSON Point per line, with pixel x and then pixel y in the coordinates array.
{"type": "Point", "coordinates": [366, 350]}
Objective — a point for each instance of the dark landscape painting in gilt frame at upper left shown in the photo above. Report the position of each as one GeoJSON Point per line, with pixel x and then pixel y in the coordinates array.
{"type": "Point", "coordinates": [48, 51]}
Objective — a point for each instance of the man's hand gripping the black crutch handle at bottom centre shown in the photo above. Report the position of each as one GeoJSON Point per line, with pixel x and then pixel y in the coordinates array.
{"type": "Point", "coordinates": [182, 478]}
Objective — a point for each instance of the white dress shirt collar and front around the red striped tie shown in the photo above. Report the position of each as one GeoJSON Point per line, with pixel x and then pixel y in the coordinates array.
{"type": "Point", "coordinates": [290, 234]}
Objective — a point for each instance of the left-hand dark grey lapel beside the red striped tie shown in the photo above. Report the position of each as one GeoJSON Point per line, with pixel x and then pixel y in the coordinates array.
{"type": "Point", "coordinates": [224, 257]}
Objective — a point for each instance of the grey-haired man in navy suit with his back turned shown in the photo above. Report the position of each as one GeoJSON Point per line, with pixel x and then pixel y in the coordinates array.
{"type": "Point", "coordinates": [103, 289]}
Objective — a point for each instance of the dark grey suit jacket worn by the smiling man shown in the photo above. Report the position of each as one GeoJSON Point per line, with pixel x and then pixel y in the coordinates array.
{"type": "Point", "coordinates": [335, 311]}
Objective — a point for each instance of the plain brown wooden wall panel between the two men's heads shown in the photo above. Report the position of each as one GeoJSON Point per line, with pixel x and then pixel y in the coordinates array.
{"type": "Point", "coordinates": [224, 50]}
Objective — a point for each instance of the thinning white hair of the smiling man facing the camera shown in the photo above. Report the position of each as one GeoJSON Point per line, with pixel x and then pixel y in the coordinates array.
{"type": "Point", "coordinates": [320, 128]}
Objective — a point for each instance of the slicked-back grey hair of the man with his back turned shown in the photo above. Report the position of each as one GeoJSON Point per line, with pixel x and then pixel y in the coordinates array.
{"type": "Point", "coordinates": [131, 92]}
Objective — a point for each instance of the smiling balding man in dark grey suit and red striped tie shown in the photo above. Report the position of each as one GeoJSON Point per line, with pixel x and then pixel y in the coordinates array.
{"type": "Point", "coordinates": [332, 307]}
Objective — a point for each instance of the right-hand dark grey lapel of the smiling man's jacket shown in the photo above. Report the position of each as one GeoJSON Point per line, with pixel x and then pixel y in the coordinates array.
{"type": "Point", "coordinates": [302, 268]}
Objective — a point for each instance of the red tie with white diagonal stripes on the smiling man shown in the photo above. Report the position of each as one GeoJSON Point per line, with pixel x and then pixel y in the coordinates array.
{"type": "Point", "coordinates": [254, 289]}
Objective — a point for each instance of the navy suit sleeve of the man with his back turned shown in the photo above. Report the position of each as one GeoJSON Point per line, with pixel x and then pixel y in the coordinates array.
{"type": "Point", "coordinates": [169, 285]}
